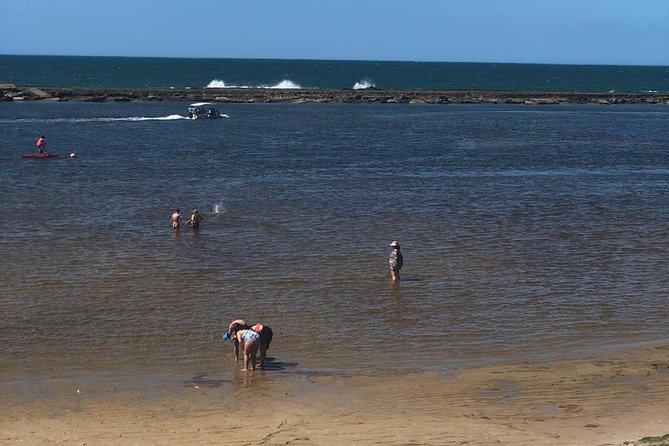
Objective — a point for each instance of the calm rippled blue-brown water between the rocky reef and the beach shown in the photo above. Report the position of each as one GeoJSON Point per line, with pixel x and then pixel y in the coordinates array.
{"type": "Point", "coordinates": [528, 232]}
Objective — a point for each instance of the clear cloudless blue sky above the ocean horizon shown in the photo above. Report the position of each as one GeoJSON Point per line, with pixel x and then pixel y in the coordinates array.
{"type": "Point", "coordinates": [542, 31]}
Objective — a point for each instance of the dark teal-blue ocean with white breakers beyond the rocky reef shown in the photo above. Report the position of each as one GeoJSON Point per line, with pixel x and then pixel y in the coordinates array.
{"type": "Point", "coordinates": [267, 73]}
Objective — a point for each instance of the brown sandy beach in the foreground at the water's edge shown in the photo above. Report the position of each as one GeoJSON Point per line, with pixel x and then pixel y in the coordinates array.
{"type": "Point", "coordinates": [608, 400]}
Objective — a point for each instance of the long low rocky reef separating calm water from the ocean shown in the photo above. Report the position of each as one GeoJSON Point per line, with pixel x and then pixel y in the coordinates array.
{"type": "Point", "coordinates": [12, 93]}
